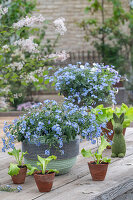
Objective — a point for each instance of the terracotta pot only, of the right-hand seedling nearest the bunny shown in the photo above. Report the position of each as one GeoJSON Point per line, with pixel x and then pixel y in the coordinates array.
{"type": "Point", "coordinates": [98, 171]}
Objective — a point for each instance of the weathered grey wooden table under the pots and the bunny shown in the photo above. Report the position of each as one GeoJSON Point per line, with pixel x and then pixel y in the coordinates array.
{"type": "Point", "coordinates": [78, 185]}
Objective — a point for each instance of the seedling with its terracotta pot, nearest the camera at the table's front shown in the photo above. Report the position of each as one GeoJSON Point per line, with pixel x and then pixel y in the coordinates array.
{"type": "Point", "coordinates": [43, 178]}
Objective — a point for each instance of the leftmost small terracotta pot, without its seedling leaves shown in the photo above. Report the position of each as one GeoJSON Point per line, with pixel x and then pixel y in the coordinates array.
{"type": "Point", "coordinates": [20, 178]}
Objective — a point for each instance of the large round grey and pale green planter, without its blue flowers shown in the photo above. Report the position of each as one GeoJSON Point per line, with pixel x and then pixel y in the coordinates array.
{"type": "Point", "coordinates": [63, 163]}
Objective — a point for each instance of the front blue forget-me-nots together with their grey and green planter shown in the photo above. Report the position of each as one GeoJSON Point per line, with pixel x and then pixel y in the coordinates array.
{"type": "Point", "coordinates": [53, 129]}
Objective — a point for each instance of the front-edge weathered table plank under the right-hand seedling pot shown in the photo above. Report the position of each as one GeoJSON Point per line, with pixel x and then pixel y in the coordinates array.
{"type": "Point", "coordinates": [84, 188]}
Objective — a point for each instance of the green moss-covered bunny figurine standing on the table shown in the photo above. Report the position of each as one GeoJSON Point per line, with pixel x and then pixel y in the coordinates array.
{"type": "Point", "coordinates": [119, 145]}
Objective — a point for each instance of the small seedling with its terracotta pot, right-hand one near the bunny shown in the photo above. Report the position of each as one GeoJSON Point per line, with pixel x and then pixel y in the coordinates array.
{"type": "Point", "coordinates": [98, 167]}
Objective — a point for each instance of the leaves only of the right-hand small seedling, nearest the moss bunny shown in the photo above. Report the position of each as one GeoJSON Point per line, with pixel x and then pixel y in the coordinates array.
{"type": "Point", "coordinates": [97, 156]}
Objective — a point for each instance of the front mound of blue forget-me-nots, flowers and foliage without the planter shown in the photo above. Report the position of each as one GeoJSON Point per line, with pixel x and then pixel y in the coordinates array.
{"type": "Point", "coordinates": [63, 123]}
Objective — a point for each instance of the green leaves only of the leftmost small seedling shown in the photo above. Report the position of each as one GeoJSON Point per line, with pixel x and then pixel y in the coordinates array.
{"type": "Point", "coordinates": [15, 167]}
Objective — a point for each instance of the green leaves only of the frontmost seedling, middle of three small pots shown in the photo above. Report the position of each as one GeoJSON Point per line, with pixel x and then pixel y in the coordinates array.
{"type": "Point", "coordinates": [42, 162]}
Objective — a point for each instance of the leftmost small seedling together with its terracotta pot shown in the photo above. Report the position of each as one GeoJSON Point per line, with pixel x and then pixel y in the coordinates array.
{"type": "Point", "coordinates": [17, 170]}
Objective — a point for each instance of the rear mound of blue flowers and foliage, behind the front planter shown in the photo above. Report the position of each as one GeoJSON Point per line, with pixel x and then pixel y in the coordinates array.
{"type": "Point", "coordinates": [86, 84]}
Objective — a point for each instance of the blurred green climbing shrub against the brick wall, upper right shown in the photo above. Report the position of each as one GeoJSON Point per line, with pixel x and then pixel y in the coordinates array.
{"type": "Point", "coordinates": [113, 44]}
